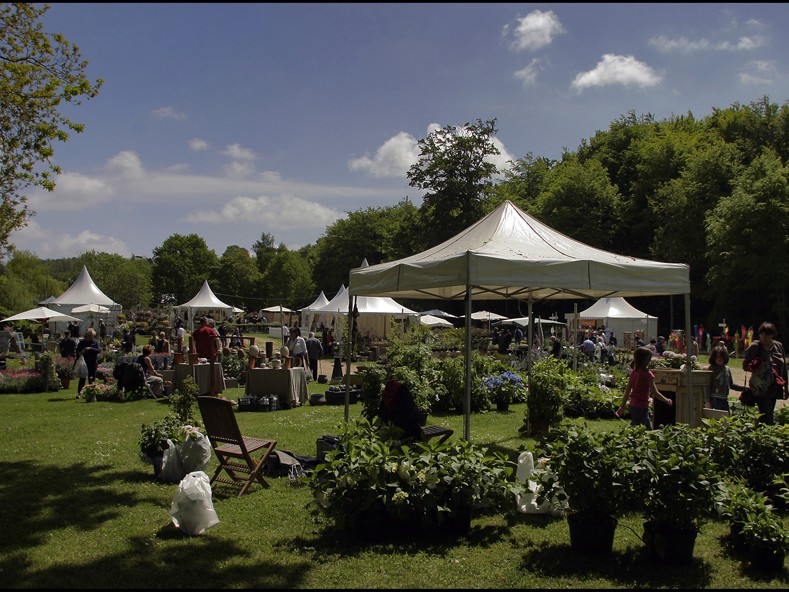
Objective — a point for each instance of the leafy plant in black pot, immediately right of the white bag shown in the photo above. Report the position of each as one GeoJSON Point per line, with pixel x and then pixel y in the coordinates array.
{"type": "Point", "coordinates": [595, 470]}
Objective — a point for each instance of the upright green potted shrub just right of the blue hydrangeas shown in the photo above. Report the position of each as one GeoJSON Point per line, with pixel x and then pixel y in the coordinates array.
{"type": "Point", "coordinates": [545, 395]}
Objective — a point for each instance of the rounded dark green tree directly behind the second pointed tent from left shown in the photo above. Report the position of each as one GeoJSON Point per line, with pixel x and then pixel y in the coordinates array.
{"type": "Point", "coordinates": [180, 266]}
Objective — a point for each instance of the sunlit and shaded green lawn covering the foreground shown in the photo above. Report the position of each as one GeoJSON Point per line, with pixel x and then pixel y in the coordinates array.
{"type": "Point", "coordinates": [78, 509]}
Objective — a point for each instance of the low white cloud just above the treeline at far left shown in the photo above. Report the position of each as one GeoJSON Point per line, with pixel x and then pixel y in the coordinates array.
{"type": "Point", "coordinates": [49, 245]}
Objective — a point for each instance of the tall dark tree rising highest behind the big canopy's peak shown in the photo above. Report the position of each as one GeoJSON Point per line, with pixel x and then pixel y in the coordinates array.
{"type": "Point", "coordinates": [453, 167]}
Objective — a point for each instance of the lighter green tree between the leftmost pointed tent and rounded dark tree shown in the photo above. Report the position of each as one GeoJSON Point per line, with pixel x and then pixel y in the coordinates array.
{"type": "Point", "coordinates": [126, 281]}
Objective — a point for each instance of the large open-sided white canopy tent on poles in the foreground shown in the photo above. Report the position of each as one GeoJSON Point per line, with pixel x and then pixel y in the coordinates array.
{"type": "Point", "coordinates": [511, 255]}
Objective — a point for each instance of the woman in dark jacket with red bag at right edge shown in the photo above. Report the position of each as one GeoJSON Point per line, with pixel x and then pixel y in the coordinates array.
{"type": "Point", "coordinates": [766, 361]}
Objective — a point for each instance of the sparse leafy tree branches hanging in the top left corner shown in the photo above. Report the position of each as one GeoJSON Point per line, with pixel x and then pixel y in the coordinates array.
{"type": "Point", "coordinates": [39, 71]}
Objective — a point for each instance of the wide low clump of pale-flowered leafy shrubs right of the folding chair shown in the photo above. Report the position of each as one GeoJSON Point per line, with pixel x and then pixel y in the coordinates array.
{"type": "Point", "coordinates": [375, 486]}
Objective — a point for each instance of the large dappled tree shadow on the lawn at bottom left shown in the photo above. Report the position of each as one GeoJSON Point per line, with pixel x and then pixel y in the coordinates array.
{"type": "Point", "coordinates": [39, 501]}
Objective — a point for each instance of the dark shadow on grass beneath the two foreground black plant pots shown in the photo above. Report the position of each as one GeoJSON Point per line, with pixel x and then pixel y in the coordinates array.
{"type": "Point", "coordinates": [632, 568]}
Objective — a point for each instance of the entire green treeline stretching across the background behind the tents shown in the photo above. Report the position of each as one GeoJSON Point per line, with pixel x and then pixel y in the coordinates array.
{"type": "Point", "coordinates": [710, 192]}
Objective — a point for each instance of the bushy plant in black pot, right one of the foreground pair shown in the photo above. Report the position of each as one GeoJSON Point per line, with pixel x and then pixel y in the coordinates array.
{"type": "Point", "coordinates": [679, 484]}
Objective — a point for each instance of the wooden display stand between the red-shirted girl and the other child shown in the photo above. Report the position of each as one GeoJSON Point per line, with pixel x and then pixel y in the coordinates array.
{"type": "Point", "coordinates": [688, 402]}
